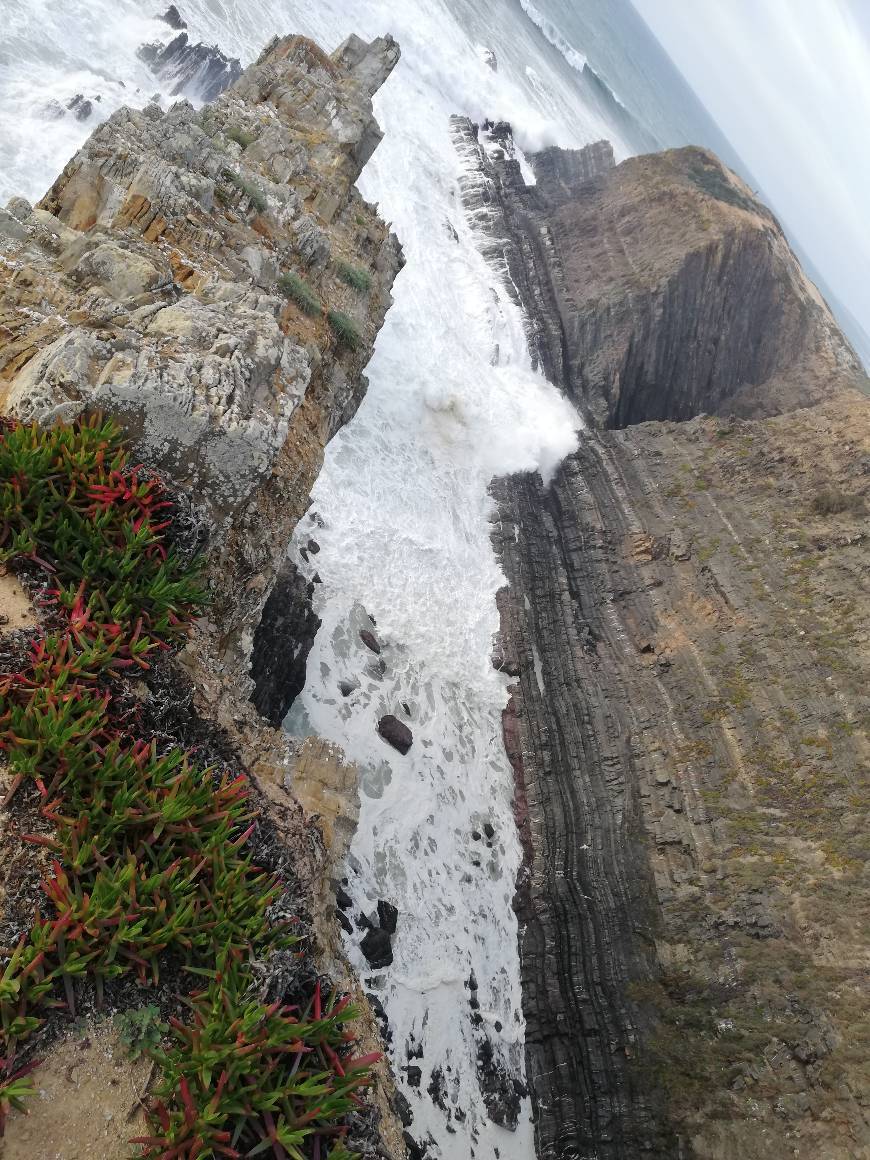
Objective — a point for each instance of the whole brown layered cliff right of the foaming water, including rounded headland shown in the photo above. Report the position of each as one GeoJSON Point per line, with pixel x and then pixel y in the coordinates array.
{"type": "Point", "coordinates": [687, 622]}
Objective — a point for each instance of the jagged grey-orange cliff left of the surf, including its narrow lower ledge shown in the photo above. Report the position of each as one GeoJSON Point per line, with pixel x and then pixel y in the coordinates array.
{"type": "Point", "coordinates": [215, 281]}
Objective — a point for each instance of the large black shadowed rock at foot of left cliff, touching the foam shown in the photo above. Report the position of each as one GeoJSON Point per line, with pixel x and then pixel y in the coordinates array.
{"type": "Point", "coordinates": [282, 643]}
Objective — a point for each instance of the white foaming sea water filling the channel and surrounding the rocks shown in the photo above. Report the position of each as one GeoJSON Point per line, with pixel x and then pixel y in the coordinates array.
{"type": "Point", "coordinates": [401, 511]}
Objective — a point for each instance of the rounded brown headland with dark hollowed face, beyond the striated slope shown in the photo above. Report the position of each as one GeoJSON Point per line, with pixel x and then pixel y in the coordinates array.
{"type": "Point", "coordinates": [658, 288]}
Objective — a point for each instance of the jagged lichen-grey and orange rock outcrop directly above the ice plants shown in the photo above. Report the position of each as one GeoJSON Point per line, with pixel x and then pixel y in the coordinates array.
{"type": "Point", "coordinates": [147, 284]}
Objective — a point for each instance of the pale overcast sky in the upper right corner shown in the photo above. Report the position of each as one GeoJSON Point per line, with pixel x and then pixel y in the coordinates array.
{"type": "Point", "coordinates": [789, 84]}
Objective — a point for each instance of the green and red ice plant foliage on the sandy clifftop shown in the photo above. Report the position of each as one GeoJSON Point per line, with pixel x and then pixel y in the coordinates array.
{"type": "Point", "coordinates": [149, 850]}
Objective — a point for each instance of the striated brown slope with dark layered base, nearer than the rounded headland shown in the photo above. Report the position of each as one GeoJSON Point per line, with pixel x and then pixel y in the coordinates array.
{"type": "Point", "coordinates": [688, 618]}
